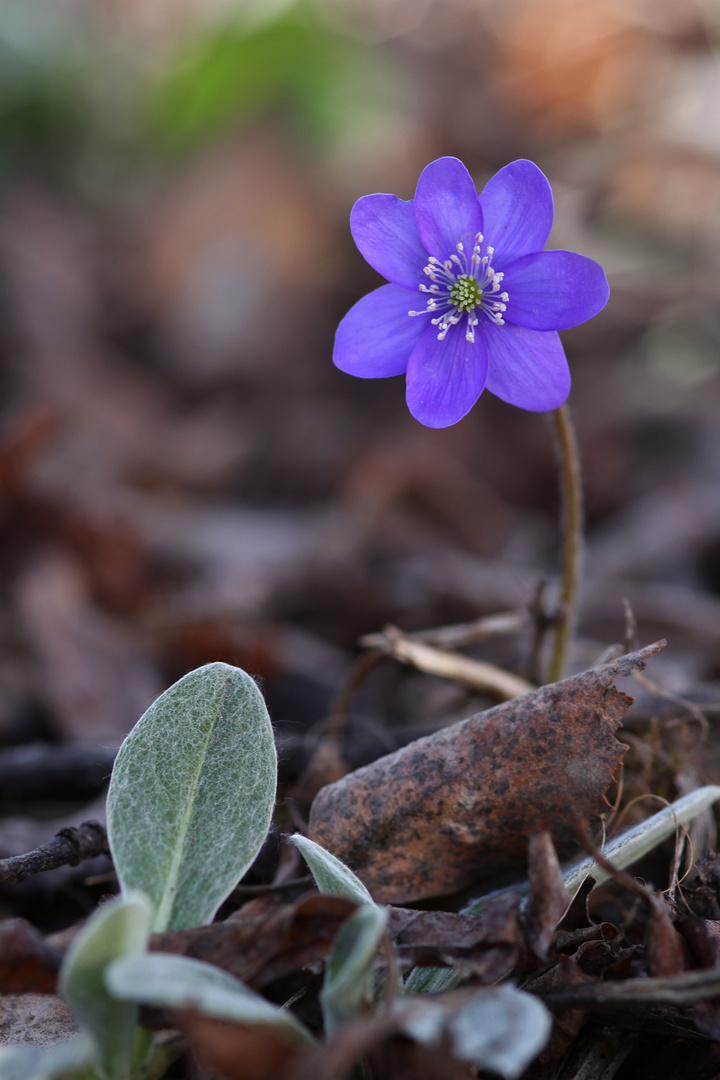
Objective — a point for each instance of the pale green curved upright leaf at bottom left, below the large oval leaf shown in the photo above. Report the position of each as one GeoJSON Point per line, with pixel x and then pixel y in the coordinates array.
{"type": "Point", "coordinates": [120, 928]}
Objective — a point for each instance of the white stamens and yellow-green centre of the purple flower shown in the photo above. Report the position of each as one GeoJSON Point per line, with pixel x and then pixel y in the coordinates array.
{"type": "Point", "coordinates": [464, 289]}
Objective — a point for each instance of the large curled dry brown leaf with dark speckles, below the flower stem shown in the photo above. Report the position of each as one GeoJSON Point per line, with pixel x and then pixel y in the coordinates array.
{"type": "Point", "coordinates": [457, 806]}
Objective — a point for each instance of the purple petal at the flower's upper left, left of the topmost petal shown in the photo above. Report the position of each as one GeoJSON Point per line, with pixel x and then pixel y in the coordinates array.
{"type": "Point", "coordinates": [386, 232]}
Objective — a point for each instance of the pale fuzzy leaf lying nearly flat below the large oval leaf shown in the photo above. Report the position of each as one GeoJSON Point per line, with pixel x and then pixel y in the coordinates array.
{"type": "Point", "coordinates": [179, 982]}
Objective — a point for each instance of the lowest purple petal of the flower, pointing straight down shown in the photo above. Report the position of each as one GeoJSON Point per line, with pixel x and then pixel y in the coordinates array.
{"type": "Point", "coordinates": [446, 379]}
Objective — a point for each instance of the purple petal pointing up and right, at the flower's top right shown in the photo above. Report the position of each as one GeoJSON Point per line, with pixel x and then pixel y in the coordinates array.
{"type": "Point", "coordinates": [519, 211]}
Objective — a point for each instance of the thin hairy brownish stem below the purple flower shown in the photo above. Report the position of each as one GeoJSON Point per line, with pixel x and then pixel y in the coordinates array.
{"type": "Point", "coordinates": [573, 538]}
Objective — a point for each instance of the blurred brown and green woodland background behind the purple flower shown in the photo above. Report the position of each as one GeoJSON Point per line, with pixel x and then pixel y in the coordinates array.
{"type": "Point", "coordinates": [185, 477]}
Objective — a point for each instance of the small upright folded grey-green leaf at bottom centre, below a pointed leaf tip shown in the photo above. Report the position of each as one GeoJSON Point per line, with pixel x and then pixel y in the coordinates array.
{"type": "Point", "coordinates": [350, 965]}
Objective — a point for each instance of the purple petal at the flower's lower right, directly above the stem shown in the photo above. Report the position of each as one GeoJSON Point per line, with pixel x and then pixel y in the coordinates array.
{"type": "Point", "coordinates": [527, 369]}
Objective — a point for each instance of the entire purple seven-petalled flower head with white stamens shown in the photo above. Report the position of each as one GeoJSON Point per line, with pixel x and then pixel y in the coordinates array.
{"type": "Point", "coordinates": [474, 301]}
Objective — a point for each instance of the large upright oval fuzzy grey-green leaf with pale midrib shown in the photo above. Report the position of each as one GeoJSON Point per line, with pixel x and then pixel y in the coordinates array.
{"type": "Point", "coordinates": [193, 794]}
